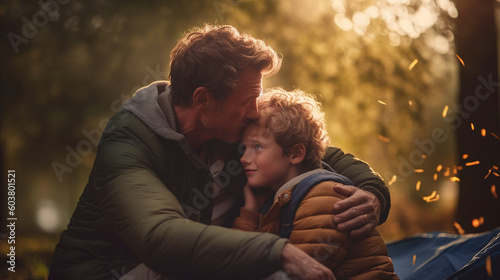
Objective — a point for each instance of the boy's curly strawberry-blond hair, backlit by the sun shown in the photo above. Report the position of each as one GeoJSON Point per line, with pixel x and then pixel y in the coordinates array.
{"type": "Point", "coordinates": [295, 117]}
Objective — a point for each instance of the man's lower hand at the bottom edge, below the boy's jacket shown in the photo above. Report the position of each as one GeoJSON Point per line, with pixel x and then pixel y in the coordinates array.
{"type": "Point", "coordinates": [297, 263]}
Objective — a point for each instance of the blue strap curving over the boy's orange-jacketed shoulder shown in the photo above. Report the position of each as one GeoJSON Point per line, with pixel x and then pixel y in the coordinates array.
{"type": "Point", "coordinates": [299, 192]}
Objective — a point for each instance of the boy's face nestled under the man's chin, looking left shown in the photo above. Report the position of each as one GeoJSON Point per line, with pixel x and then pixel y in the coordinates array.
{"type": "Point", "coordinates": [264, 161]}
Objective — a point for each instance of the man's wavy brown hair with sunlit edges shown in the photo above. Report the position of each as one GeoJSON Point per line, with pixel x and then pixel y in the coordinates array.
{"type": "Point", "coordinates": [213, 57]}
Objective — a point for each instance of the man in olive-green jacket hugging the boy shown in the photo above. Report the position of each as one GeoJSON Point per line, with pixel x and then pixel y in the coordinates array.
{"type": "Point", "coordinates": [165, 170]}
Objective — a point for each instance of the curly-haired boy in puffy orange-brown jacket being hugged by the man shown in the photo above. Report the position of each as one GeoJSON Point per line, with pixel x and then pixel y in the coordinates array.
{"type": "Point", "coordinates": [283, 148]}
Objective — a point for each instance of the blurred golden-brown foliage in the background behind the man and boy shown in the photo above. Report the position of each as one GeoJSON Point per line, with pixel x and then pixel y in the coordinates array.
{"type": "Point", "coordinates": [60, 85]}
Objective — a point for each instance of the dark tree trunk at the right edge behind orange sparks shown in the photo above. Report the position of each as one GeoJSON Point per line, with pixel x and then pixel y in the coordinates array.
{"type": "Point", "coordinates": [477, 108]}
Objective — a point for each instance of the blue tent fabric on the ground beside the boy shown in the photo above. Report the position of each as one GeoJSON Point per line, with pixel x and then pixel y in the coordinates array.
{"type": "Point", "coordinates": [440, 255]}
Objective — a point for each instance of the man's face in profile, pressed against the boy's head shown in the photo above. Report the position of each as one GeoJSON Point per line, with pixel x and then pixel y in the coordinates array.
{"type": "Point", "coordinates": [228, 117]}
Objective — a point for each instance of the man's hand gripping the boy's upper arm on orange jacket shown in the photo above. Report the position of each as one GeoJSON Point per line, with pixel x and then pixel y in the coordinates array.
{"type": "Point", "coordinates": [359, 213]}
